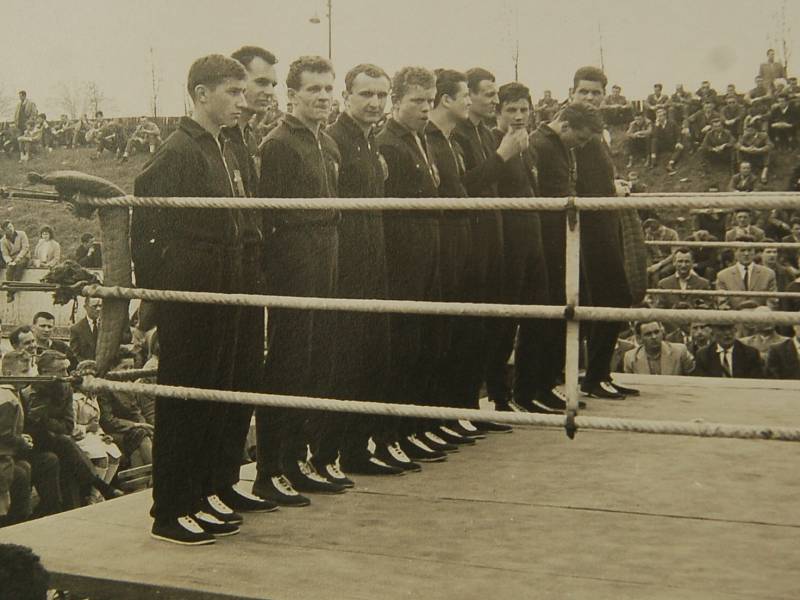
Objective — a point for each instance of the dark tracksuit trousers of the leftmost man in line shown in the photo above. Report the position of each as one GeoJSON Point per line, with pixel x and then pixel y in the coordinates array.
{"type": "Point", "coordinates": [198, 349]}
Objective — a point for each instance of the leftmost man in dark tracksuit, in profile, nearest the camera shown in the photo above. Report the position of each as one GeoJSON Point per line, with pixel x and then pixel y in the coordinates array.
{"type": "Point", "coordinates": [198, 250]}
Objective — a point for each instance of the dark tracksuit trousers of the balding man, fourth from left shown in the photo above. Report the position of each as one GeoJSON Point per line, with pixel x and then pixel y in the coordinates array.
{"type": "Point", "coordinates": [361, 346]}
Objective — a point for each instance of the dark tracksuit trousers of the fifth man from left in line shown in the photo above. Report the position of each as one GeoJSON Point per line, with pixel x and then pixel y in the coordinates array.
{"type": "Point", "coordinates": [412, 263]}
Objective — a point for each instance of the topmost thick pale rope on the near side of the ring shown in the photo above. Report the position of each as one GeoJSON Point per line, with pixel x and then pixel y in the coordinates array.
{"type": "Point", "coordinates": [754, 200]}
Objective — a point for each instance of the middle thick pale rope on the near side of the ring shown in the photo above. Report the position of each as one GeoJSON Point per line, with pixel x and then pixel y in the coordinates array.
{"type": "Point", "coordinates": [465, 309]}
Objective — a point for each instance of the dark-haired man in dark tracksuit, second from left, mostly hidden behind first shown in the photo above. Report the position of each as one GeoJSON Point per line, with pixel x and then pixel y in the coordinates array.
{"type": "Point", "coordinates": [261, 80]}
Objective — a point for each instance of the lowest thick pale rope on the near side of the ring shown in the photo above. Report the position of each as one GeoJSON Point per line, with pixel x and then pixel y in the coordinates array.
{"type": "Point", "coordinates": [694, 429]}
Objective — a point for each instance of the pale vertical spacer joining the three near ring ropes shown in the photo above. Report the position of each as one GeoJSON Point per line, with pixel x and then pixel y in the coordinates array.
{"type": "Point", "coordinates": [573, 341]}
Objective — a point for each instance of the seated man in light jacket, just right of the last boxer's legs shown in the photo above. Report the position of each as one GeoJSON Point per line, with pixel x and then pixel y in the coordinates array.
{"type": "Point", "coordinates": [655, 356]}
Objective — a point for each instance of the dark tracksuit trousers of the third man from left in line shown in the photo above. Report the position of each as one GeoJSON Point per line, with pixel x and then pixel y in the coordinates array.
{"type": "Point", "coordinates": [302, 261]}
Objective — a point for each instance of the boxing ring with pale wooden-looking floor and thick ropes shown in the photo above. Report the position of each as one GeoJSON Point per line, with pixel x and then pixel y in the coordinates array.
{"type": "Point", "coordinates": [528, 515]}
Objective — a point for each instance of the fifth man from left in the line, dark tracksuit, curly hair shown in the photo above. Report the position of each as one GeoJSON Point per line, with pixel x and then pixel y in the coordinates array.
{"type": "Point", "coordinates": [412, 253]}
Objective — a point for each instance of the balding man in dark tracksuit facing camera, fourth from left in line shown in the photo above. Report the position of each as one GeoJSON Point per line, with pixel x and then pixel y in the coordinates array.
{"type": "Point", "coordinates": [362, 340]}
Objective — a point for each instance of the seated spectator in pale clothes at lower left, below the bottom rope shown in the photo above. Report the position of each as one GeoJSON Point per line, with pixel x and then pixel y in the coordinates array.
{"type": "Point", "coordinates": [96, 444]}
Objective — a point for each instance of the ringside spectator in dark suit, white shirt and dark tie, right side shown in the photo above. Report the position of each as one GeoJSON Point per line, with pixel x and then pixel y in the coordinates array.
{"type": "Point", "coordinates": [728, 357]}
